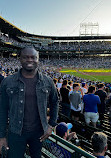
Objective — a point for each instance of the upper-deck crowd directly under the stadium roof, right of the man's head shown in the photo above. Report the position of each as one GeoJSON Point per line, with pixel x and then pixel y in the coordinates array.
{"type": "Point", "coordinates": [79, 46]}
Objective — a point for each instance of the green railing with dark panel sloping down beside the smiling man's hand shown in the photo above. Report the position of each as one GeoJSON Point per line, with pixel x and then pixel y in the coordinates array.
{"type": "Point", "coordinates": [54, 146]}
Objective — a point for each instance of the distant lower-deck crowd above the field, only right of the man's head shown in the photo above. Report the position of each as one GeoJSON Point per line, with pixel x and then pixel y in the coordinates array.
{"type": "Point", "coordinates": [77, 63]}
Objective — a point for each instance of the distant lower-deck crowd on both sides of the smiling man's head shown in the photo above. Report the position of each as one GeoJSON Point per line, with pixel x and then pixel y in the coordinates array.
{"type": "Point", "coordinates": [10, 65]}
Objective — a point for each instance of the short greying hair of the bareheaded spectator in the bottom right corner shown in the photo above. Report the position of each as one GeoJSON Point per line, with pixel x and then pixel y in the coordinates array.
{"type": "Point", "coordinates": [99, 142]}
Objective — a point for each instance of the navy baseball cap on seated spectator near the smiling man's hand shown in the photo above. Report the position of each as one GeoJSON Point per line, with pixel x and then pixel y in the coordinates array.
{"type": "Point", "coordinates": [61, 129]}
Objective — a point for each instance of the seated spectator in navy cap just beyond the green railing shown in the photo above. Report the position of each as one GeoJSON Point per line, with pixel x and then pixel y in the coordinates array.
{"type": "Point", "coordinates": [63, 131]}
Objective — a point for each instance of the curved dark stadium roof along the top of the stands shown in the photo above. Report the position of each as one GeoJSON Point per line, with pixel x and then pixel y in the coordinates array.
{"type": "Point", "coordinates": [10, 29]}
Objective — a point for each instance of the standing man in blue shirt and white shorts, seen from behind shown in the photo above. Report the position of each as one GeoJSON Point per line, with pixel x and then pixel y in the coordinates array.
{"type": "Point", "coordinates": [90, 106]}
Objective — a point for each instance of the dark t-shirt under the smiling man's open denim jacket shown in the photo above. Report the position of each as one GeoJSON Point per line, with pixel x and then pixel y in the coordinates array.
{"type": "Point", "coordinates": [31, 120]}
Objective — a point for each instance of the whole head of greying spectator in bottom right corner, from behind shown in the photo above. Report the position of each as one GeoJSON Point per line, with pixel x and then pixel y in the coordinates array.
{"type": "Point", "coordinates": [99, 144]}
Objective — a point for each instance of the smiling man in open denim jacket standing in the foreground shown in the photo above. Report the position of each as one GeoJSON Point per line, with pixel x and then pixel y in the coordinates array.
{"type": "Point", "coordinates": [24, 97]}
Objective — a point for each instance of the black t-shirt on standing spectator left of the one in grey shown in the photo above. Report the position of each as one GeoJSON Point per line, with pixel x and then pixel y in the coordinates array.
{"type": "Point", "coordinates": [64, 92]}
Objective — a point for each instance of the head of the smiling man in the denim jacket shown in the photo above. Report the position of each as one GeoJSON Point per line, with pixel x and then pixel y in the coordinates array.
{"type": "Point", "coordinates": [29, 59]}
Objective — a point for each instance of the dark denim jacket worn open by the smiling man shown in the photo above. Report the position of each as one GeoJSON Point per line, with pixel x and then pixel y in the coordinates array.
{"type": "Point", "coordinates": [12, 98]}
